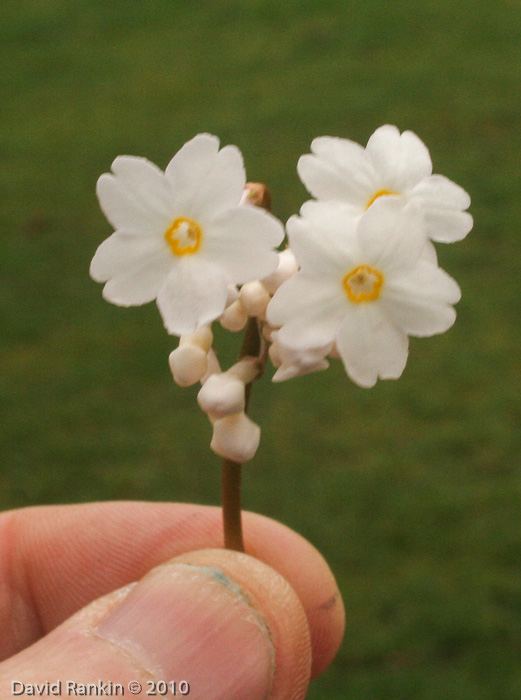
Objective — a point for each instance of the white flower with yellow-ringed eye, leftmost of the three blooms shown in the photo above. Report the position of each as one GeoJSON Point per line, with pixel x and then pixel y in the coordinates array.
{"type": "Point", "coordinates": [181, 236]}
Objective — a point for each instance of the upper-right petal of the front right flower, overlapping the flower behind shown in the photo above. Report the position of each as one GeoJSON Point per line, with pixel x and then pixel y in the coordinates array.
{"type": "Point", "coordinates": [391, 234]}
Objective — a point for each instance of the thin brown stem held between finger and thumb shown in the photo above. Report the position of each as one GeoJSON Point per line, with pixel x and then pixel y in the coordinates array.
{"type": "Point", "coordinates": [232, 471]}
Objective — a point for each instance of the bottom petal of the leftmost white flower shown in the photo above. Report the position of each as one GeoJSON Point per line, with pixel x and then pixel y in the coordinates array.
{"type": "Point", "coordinates": [193, 295]}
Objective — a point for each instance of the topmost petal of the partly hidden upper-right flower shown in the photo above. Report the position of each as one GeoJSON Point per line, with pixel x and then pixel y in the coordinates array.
{"type": "Point", "coordinates": [401, 160]}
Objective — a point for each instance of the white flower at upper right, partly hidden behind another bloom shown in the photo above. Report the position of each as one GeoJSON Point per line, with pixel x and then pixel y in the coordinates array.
{"type": "Point", "coordinates": [392, 164]}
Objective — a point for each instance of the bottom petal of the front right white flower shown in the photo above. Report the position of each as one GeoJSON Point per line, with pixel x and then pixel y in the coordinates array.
{"type": "Point", "coordinates": [371, 346]}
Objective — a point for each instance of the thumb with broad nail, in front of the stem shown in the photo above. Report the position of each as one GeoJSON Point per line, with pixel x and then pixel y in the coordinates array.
{"type": "Point", "coordinates": [226, 624]}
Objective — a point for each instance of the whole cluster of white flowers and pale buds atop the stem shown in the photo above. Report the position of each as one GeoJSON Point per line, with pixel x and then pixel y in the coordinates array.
{"type": "Point", "coordinates": [358, 276]}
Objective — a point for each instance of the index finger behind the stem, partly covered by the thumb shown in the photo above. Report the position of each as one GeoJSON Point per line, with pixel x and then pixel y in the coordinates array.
{"type": "Point", "coordinates": [56, 559]}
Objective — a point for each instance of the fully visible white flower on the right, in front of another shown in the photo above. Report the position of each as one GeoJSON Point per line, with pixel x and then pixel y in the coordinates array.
{"type": "Point", "coordinates": [364, 285]}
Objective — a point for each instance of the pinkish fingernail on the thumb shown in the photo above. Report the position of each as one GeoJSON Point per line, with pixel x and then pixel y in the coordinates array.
{"type": "Point", "coordinates": [193, 624]}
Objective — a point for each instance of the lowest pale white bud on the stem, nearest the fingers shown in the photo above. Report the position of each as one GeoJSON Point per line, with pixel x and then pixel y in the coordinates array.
{"type": "Point", "coordinates": [235, 437]}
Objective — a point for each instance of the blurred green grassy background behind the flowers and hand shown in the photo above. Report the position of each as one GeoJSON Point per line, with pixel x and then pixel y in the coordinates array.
{"type": "Point", "coordinates": [411, 490]}
